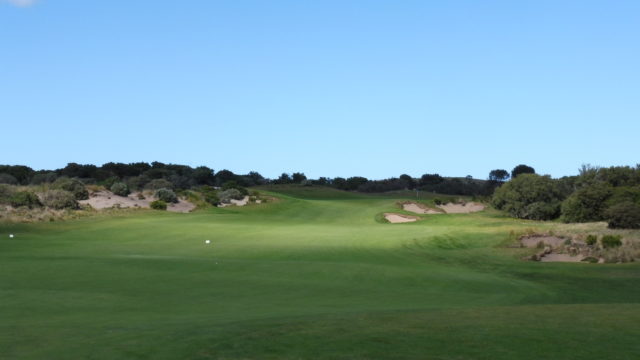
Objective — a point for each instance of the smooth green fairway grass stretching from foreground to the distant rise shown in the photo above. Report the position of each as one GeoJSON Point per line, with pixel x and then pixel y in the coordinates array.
{"type": "Point", "coordinates": [313, 274]}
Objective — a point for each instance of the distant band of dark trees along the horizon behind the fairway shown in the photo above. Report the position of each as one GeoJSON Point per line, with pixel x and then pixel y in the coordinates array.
{"type": "Point", "coordinates": [140, 174]}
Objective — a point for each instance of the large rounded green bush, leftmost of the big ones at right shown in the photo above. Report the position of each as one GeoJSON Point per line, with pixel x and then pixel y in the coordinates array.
{"type": "Point", "coordinates": [529, 196]}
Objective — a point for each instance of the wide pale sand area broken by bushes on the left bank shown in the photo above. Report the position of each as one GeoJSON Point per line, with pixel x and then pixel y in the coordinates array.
{"type": "Point", "coordinates": [106, 199]}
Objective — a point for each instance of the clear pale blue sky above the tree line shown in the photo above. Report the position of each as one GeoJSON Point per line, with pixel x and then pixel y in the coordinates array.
{"type": "Point", "coordinates": [328, 88]}
